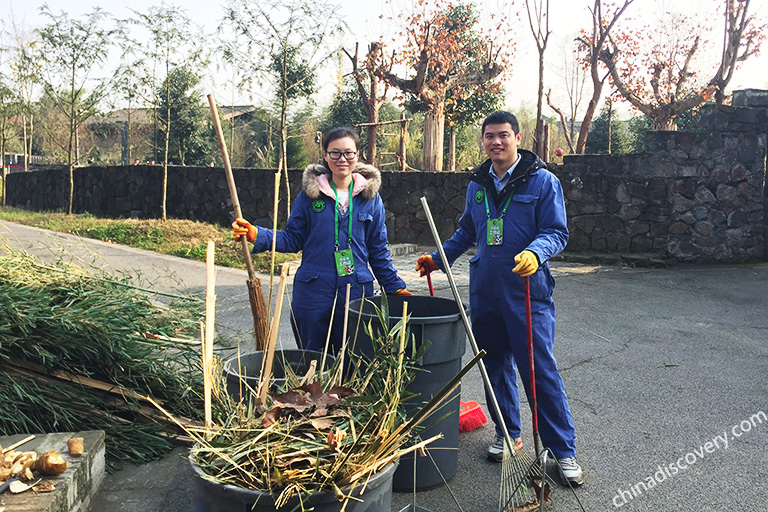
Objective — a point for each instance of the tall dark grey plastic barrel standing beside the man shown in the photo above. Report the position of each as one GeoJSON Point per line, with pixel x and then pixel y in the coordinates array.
{"type": "Point", "coordinates": [437, 320]}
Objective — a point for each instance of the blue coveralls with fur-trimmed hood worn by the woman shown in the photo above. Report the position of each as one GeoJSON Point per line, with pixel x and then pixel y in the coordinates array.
{"type": "Point", "coordinates": [310, 229]}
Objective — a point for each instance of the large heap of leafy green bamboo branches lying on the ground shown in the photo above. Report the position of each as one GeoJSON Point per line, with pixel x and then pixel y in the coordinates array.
{"type": "Point", "coordinates": [82, 352]}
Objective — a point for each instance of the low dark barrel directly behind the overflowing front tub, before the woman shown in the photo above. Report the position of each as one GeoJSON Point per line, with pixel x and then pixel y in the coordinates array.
{"type": "Point", "coordinates": [244, 374]}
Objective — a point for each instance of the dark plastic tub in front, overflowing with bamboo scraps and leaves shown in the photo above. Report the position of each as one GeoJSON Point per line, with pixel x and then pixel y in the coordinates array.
{"type": "Point", "coordinates": [217, 497]}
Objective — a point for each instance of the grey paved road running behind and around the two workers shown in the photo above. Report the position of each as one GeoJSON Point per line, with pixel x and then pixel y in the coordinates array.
{"type": "Point", "coordinates": [665, 371]}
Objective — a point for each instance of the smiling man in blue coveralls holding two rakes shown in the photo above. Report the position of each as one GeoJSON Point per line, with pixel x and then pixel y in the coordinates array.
{"type": "Point", "coordinates": [515, 215]}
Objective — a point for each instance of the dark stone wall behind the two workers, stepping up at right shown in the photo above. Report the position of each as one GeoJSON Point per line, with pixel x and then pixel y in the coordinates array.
{"type": "Point", "coordinates": [691, 196]}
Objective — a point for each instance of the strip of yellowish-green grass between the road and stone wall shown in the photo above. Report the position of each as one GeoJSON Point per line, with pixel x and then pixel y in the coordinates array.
{"type": "Point", "coordinates": [176, 237]}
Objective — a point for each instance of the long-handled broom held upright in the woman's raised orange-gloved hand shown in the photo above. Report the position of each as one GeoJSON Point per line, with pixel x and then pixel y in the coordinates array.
{"type": "Point", "coordinates": [255, 292]}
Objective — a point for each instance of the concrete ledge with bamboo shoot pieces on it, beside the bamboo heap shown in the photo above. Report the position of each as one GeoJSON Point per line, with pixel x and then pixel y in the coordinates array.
{"type": "Point", "coordinates": [75, 487]}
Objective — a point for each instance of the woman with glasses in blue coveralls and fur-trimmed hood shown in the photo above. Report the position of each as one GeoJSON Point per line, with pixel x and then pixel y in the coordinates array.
{"type": "Point", "coordinates": [338, 222]}
